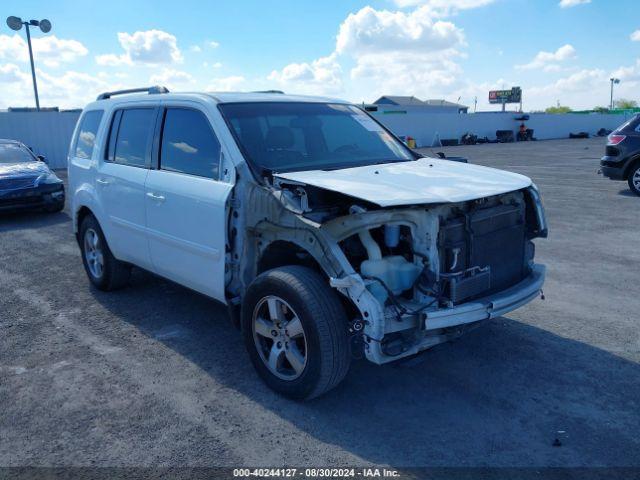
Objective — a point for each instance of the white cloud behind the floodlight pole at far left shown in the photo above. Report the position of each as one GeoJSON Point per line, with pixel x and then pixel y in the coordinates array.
{"type": "Point", "coordinates": [49, 50]}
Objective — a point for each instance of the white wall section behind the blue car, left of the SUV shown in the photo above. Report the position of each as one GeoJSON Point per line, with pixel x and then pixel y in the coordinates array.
{"type": "Point", "coordinates": [48, 133]}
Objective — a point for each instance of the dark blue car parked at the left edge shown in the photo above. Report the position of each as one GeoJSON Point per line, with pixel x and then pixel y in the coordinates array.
{"type": "Point", "coordinates": [26, 182]}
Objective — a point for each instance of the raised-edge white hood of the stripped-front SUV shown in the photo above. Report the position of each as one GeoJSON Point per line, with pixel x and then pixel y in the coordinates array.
{"type": "Point", "coordinates": [425, 180]}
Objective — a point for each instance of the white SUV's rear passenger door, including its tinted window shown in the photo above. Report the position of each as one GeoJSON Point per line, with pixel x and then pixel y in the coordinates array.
{"type": "Point", "coordinates": [120, 182]}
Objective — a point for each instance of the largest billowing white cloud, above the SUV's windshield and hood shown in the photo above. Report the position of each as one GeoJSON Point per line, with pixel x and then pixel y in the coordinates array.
{"type": "Point", "coordinates": [398, 52]}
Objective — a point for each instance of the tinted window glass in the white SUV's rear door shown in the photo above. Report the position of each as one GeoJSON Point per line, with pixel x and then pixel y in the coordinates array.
{"type": "Point", "coordinates": [130, 137]}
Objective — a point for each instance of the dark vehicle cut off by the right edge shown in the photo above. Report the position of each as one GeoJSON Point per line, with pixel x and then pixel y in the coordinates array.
{"type": "Point", "coordinates": [622, 154]}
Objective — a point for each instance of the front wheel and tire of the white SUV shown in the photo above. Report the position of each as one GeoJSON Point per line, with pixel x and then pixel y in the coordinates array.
{"type": "Point", "coordinates": [295, 331]}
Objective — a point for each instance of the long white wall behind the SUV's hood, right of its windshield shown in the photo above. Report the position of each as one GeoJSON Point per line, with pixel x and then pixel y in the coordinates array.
{"type": "Point", "coordinates": [424, 126]}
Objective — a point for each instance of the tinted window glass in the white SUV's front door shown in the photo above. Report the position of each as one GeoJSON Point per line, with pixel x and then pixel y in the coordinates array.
{"type": "Point", "coordinates": [189, 144]}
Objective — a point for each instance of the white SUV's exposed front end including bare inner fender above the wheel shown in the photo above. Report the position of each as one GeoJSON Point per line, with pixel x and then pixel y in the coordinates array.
{"type": "Point", "coordinates": [411, 276]}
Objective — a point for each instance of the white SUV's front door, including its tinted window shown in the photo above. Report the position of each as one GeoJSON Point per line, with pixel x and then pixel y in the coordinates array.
{"type": "Point", "coordinates": [186, 201]}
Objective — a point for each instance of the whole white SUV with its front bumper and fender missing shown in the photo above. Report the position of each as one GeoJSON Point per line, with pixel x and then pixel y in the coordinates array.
{"type": "Point", "coordinates": [324, 234]}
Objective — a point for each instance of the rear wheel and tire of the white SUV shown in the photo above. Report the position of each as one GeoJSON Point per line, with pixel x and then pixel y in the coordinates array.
{"type": "Point", "coordinates": [103, 269]}
